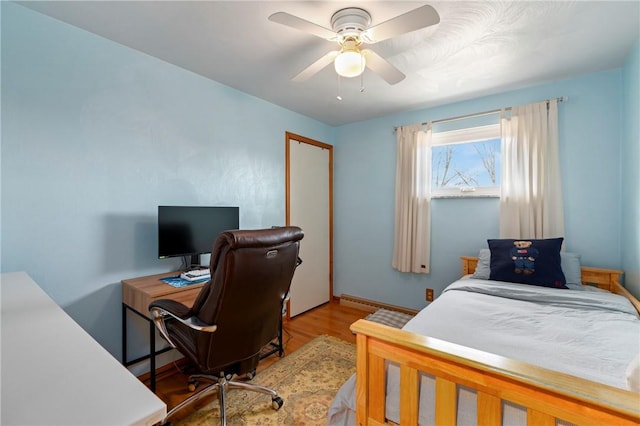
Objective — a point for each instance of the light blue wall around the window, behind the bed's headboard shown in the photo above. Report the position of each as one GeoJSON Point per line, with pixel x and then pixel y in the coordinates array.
{"type": "Point", "coordinates": [590, 134]}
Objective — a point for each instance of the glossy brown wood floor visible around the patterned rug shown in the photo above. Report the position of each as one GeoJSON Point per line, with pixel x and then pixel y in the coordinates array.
{"type": "Point", "coordinates": [331, 318]}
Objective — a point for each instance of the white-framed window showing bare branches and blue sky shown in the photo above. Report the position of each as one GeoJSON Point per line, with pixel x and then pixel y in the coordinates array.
{"type": "Point", "coordinates": [466, 162]}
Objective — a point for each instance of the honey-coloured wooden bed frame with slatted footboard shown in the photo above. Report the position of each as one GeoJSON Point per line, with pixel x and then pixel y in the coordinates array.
{"type": "Point", "coordinates": [545, 394]}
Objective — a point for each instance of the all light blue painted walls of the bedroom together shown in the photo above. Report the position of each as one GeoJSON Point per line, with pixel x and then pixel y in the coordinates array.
{"type": "Point", "coordinates": [96, 135]}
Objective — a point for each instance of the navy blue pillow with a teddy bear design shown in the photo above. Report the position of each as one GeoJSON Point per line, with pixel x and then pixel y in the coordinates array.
{"type": "Point", "coordinates": [526, 261]}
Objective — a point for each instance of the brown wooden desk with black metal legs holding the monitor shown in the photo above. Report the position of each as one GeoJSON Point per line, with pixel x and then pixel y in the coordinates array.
{"type": "Point", "coordinates": [137, 294]}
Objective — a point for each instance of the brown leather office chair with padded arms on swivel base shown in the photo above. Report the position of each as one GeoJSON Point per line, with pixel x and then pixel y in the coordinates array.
{"type": "Point", "coordinates": [237, 313]}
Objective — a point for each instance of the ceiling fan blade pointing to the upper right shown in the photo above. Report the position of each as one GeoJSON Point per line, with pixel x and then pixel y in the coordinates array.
{"type": "Point", "coordinates": [415, 19]}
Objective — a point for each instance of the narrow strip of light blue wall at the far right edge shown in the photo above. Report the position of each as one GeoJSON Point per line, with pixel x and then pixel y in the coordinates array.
{"type": "Point", "coordinates": [630, 162]}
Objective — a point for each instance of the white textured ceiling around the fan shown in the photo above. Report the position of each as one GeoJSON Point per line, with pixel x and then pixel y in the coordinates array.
{"type": "Point", "coordinates": [478, 48]}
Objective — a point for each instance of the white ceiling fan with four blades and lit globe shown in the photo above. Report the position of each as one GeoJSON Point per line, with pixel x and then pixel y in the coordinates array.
{"type": "Point", "coordinates": [351, 30]}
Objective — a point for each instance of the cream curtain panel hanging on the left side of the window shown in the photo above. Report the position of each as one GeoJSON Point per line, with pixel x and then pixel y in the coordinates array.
{"type": "Point", "coordinates": [411, 248]}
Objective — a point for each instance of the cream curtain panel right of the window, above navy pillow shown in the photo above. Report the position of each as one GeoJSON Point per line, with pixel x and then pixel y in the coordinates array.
{"type": "Point", "coordinates": [531, 190]}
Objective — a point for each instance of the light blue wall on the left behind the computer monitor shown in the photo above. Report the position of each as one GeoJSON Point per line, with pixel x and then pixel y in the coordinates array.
{"type": "Point", "coordinates": [95, 136]}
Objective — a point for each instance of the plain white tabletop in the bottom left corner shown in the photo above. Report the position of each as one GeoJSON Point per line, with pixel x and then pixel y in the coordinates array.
{"type": "Point", "coordinates": [55, 373]}
